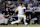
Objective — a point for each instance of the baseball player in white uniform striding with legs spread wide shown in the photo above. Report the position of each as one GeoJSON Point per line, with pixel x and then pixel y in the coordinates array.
{"type": "Point", "coordinates": [21, 11]}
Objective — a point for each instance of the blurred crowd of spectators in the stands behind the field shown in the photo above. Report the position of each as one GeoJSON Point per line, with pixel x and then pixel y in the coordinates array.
{"type": "Point", "coordinates": [30, 4]}
